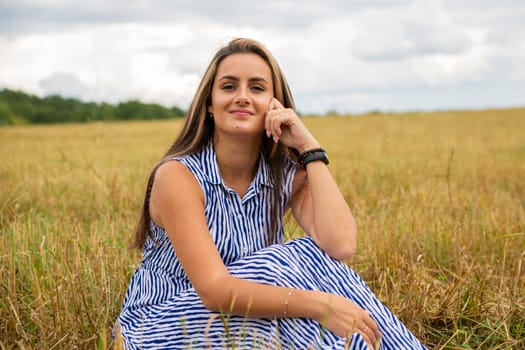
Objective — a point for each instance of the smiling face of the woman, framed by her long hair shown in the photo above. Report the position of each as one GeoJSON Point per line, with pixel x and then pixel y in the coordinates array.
{"type": "Point", "coordinates": [241, 94]}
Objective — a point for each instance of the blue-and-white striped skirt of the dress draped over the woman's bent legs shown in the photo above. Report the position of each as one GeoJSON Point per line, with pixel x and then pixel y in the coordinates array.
{"type": "Point", "coordinates": [182, 322]}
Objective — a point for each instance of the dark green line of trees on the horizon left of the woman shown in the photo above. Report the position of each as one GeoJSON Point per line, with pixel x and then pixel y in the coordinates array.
{"type": "Point", "coordinates": [18, 107]}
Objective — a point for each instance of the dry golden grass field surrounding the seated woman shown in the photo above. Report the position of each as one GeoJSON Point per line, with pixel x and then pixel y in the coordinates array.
{"type": "Point", "coordinates": [439, 199]}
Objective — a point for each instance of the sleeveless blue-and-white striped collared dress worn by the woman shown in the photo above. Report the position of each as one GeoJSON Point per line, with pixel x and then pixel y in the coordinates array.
{"type": "Point", "coordinates": [161, 309]}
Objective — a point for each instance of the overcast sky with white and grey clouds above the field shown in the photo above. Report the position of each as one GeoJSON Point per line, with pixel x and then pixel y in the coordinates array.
{"type": "Point", "coordinates": [338, 55]}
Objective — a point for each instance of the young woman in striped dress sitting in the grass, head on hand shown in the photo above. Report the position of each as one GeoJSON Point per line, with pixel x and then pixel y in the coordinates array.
{"type": "Point", "coordinates": [215, 272]}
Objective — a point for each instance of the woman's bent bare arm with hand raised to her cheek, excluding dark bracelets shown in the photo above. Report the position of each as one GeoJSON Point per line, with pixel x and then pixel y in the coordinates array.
{"type": "Point", "coordinates": [318, 207]}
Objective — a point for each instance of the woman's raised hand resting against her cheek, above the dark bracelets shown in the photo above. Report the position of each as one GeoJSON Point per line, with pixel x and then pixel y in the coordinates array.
{"type": "Point", "coordinates": [284, 125]}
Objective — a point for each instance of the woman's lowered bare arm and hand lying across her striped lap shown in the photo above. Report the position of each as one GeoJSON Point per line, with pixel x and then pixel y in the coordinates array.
{"type": "Point", "coordinates": [177, 205]}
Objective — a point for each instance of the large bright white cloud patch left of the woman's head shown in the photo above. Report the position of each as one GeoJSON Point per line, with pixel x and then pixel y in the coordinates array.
{"type": "Point", "coordinates": [161, 63]}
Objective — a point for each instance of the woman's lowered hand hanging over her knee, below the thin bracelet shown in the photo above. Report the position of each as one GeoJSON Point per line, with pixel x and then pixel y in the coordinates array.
{"type": "Point", "coordinates": [344, 317]}
